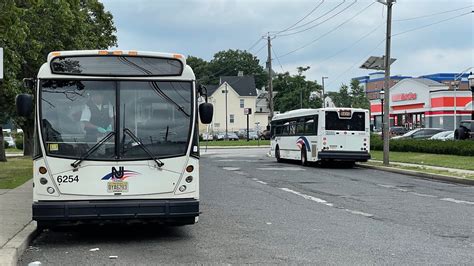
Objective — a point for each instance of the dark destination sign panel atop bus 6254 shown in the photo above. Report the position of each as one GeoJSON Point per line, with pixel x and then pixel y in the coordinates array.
{"type": "Point", "coordinates": [116, 66]}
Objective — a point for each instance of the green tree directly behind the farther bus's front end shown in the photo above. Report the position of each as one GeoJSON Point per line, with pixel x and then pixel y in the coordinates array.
{"type": "Point", "coordinates": [291, 89]}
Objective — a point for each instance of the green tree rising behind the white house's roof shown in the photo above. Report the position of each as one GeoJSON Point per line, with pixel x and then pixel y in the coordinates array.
{"type": "Point", "coordinates": [230, 62]}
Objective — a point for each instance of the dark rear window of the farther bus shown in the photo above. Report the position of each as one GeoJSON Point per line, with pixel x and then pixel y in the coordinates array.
{"type": "Point", "coordinates": [355, 123]}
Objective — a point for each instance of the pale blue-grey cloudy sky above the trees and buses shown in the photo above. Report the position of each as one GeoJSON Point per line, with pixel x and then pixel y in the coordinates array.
{"type": "Point", "coordinates": [337, 38]}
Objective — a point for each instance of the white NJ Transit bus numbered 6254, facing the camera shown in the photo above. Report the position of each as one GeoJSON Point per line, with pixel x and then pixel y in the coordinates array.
{"type": "Point", "coordinates": [116, 138]}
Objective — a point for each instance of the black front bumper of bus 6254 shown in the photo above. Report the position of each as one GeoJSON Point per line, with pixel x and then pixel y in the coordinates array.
{"type": "Point", "coordinates": [179, 211]}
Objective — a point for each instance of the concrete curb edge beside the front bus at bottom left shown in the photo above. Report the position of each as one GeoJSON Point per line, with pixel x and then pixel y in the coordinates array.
{"type": "Point", "coordinates": [14, 248]}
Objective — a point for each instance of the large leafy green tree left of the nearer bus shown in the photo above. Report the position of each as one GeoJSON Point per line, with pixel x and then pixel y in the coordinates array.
{"type": "Point", "coordinates": [40, 27]}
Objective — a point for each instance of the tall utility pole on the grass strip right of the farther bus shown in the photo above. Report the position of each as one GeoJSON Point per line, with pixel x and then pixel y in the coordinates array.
{"type": "Point", "coordinates": [386, 107]}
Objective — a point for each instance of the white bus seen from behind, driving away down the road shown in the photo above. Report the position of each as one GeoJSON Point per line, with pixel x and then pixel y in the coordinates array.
{"type": "Point", "coordinates": [326, 134]}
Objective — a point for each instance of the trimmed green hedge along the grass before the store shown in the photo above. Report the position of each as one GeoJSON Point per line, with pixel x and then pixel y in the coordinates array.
{"type": "Point", "coordinates": [452, 147]}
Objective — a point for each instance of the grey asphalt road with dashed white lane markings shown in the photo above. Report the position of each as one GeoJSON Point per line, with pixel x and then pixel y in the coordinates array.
{"type": "Point", "coordinates": [258, 211]}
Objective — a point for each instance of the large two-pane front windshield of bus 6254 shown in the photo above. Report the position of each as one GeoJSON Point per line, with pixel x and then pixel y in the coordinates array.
{"type": "Point", "coordinates": [76, 114]}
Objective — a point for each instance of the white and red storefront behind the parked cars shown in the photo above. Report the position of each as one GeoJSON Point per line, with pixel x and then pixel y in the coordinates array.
{"type": "Point", "coordinates": [419, 102]}
